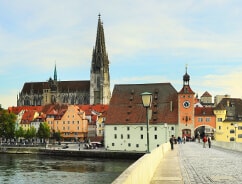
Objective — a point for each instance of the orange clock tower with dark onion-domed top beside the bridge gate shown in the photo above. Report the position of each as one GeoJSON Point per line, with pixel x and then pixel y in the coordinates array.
{"type": "Point", "coordinates": [186, 108]}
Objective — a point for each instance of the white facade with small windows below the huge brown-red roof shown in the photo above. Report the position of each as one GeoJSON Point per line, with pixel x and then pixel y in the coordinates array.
{"type": "Point", "coordinates": [134, 137]}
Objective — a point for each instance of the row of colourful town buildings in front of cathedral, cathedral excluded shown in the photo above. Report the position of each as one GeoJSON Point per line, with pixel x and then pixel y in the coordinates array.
{"type": "Point", "coordinates": [122, 123]}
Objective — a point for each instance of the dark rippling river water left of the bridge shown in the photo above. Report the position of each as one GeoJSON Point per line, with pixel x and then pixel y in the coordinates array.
{"type": "Point", "coordinates": [38, 169]}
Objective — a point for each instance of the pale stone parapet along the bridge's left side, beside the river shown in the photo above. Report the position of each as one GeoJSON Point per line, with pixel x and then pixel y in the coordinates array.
{"type": "Point", "coordinates": [143, 169]}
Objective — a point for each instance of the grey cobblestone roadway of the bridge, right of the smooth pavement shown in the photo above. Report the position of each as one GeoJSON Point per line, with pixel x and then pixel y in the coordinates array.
{"type": "Point", "coordinates": [209, 165]}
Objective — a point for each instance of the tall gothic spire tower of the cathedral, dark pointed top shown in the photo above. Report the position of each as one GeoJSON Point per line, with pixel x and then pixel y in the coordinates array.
{"type": "Point", "coordinates": [100, 78]}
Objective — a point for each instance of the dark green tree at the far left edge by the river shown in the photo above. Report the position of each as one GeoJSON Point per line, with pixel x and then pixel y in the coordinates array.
{"type": "Point", "coordinates": [7, 124]}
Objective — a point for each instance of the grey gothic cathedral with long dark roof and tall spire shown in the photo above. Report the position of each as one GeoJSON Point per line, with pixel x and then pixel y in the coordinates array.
{"type": "Point", "coordinates": [95, 91]}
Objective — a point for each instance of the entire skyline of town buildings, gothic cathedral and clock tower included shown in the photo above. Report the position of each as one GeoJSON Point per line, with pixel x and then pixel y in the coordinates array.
{"type": "Point", "coordinates": [87, 109]}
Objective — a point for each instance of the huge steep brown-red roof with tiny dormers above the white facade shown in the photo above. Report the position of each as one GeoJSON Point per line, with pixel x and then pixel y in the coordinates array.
{"type": "Point", "coordinates": [126, 104]}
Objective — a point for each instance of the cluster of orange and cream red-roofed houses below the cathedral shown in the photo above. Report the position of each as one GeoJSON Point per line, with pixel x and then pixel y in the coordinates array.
{"type": "Point", "coordinates": [74, 122]}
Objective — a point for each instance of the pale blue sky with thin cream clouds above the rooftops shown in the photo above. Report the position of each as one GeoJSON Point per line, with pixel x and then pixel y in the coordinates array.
{"type": "Point", "coordinates": [146, 41]}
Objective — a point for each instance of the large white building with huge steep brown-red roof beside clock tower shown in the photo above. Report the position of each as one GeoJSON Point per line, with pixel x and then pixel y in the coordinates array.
{"type": "Point", "coordinates": [125, 126]}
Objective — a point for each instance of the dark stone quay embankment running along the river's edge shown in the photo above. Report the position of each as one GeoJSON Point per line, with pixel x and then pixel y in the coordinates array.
{"type": "Point", "coordinates": [57, 151]}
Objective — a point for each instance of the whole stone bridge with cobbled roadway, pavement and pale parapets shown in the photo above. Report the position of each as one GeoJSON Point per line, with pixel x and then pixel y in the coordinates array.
{"type": "Point", "coordinates": [188, 163]}
